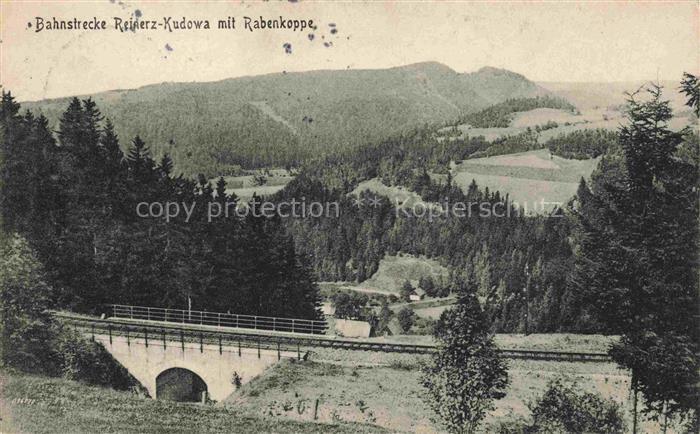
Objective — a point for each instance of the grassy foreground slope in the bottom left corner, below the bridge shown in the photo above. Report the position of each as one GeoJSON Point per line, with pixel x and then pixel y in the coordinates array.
{"type": "Point", "coordinates": [31, 404]}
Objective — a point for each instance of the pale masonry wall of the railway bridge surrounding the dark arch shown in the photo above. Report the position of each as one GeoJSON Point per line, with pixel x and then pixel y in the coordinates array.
{"type": "Point", "coordinates": [183, 370]}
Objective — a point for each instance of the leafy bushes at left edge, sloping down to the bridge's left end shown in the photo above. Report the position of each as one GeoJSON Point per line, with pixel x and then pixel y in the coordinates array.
{"type": "Point", "coordinates": [30, 341]}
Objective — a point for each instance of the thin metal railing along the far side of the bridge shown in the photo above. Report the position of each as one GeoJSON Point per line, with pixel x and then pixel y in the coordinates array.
{"type": "Point", "coordinates": [218, 319]}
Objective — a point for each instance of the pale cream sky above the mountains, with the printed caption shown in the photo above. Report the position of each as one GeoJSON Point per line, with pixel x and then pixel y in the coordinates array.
{"type": "Point", "coordinates": [545, 41]}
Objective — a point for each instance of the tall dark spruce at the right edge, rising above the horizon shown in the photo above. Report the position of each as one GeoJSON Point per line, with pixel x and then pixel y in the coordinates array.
{"type": "Point", "coordinates": [637, 259]}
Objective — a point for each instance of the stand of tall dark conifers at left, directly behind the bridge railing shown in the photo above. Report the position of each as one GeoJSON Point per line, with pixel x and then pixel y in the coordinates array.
{"type": "Point", "coordinates": [74, 200]}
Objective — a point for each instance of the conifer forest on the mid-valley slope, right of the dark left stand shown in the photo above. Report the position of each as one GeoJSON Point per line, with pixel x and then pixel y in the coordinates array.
{"type": "Point", "coordinates": [515, 264]}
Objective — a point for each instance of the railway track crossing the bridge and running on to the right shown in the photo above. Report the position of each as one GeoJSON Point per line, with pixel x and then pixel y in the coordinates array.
{"type": "Point", "coordinates": [162, 333]}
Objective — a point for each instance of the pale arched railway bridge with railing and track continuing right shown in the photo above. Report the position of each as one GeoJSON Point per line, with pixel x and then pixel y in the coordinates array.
{"type": "Point", "coordinates": [190, 355]}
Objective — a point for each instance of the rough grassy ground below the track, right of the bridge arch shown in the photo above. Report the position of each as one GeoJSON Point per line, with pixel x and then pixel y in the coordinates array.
{"type": "Point", "coordinates": [385, 389]}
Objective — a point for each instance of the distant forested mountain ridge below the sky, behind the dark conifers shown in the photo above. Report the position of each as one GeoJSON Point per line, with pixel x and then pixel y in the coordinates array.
{"type": "Point", "coordinates": [283, 119]}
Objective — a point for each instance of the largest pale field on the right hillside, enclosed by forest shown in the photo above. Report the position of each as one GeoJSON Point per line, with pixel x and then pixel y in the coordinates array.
{"type": "Point", "coordinates": [529, 178]}
